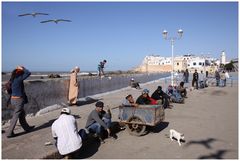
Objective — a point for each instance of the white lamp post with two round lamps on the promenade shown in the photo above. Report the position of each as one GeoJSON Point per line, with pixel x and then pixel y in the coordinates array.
{"type": "Point", "coordinates": [172, 39]}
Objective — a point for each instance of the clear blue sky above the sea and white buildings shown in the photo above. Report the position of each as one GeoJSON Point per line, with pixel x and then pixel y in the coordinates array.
{"type": "Point", "coordinates": [123, 33]}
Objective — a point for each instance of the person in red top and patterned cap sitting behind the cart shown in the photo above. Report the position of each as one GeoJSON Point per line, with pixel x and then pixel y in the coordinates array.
{"type": "Point", "coordinates": [144, 99]}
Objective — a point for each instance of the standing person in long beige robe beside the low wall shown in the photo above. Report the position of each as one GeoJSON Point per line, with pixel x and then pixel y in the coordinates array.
{"type": "Point", "coordinates": [73, 87]}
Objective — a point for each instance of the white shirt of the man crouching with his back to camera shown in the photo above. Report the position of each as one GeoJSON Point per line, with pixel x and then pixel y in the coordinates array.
{"type": "Point", "coordinates": [65, 129]}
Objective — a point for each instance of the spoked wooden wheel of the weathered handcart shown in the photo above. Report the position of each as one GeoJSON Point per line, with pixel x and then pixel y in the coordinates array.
{"type": "Point", "coordinates": [136, 129]}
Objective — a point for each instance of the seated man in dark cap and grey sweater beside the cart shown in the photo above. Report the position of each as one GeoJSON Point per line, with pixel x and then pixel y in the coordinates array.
{"type": "Point", "coordinates": [98, 120]}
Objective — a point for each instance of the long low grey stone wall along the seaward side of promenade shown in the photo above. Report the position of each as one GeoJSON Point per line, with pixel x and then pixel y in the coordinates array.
{"type": "Point", "coordinates": [46, 92]}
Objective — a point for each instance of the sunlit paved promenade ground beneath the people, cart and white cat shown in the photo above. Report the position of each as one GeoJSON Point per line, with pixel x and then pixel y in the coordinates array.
{"type": "Point", "coordinates": [209, 120]}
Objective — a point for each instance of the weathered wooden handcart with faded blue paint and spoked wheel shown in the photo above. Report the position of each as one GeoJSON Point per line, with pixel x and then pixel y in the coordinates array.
{"type": "Point", "coordinates": [138, 118]}
